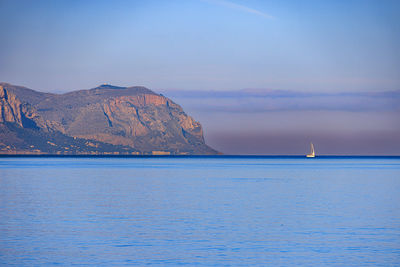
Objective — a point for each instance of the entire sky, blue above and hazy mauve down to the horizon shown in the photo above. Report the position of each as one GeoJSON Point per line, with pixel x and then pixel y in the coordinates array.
{"type": "Point", "coordinates": [263, 77]}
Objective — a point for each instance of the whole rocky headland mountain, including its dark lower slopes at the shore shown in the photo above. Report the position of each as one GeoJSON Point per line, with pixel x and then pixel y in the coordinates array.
{"type": "Point", "coordinates": [104, 120]}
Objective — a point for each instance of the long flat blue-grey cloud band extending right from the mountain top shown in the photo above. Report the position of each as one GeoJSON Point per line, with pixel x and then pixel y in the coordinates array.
{"type": "Point", "coordinates": [260, 101]}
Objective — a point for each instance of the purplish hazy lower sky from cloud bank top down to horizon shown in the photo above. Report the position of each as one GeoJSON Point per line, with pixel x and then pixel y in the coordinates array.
{"type": "Point", "coordinates": [285, 122]}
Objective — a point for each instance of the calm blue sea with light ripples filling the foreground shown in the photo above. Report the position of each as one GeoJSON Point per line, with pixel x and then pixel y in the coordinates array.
{"type": "Point", "coordinates": [224, 211]}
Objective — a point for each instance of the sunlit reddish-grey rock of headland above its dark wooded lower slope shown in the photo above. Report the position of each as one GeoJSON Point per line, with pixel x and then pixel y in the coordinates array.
{"type": "Point", "coordinates": [135, 118]}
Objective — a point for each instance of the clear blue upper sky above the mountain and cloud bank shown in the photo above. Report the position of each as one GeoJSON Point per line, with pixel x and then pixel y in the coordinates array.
{"type": "Point", "coordinates": [202, 44]}
